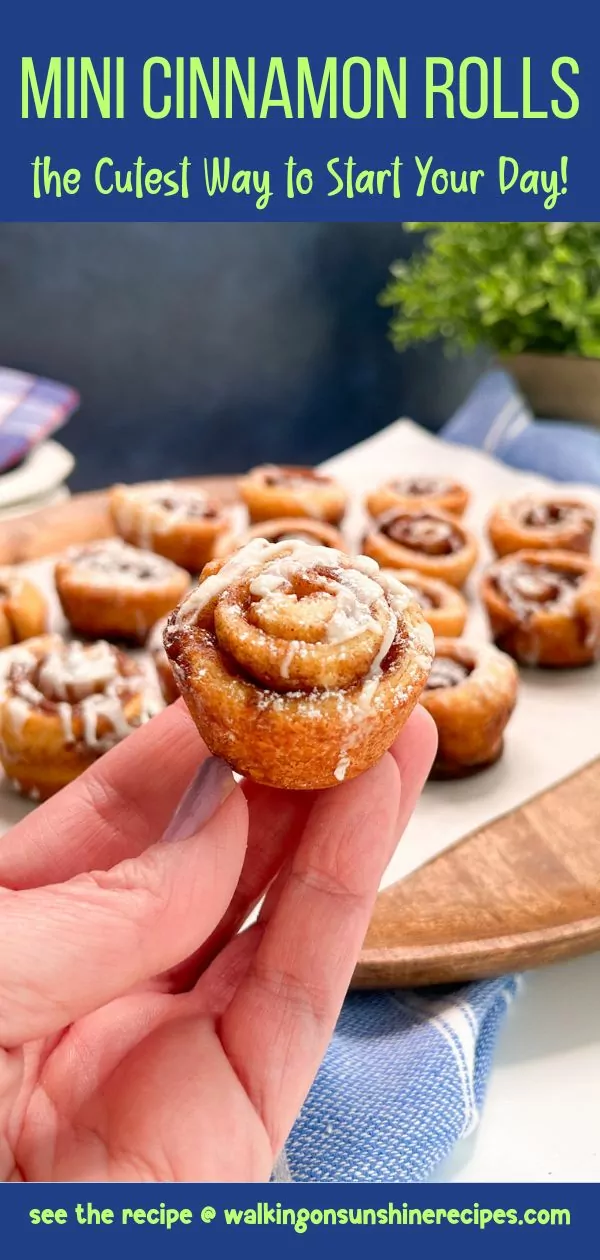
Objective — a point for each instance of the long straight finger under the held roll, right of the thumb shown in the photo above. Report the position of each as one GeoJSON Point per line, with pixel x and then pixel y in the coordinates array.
{"type": "Point", "coordinates": [277, 1029]}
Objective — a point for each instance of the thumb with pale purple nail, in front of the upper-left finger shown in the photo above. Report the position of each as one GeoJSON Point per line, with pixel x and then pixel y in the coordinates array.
{"type": "Point", "coordinates": [70, 948]}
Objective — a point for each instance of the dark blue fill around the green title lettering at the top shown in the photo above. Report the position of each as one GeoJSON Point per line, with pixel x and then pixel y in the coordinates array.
{"type": "Point", "coordinates": [314, 30]}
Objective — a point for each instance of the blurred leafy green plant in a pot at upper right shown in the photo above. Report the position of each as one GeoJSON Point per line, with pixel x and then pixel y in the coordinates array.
{"type": "Point", "coordinates": [529, 292]}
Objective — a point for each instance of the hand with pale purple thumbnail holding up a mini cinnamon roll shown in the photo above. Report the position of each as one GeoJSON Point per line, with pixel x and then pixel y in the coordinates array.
{"type": "Point", "coordinates": [144, 1038]}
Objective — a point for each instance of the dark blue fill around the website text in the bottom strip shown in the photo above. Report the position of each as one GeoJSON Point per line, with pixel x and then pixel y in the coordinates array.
{"type": "Point", "coordinates": [220, 1239]}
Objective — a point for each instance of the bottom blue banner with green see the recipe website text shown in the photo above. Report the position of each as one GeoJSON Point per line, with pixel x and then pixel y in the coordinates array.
{"type": "Point", "coordinates": [273, 1220]}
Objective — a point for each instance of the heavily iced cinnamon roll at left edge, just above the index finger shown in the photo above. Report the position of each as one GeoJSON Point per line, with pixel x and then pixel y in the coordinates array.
{"type": "Point", "coordinates": [64, 705]}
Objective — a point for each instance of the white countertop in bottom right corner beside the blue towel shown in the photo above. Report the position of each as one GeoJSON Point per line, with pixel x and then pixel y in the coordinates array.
{"type": "Point", "coordinates": [541, 1120]}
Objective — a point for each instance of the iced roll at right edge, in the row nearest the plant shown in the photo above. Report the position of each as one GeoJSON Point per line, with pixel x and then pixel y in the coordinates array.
{"type": "Point", "coordinates": [541, 525]}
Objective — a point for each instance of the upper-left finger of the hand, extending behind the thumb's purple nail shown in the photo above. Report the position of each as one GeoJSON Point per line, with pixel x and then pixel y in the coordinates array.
{"type": "Point", "coordinates": [115, 811]}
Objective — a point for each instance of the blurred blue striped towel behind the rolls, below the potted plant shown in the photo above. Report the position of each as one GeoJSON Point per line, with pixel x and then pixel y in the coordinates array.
{"type": "Point", "coordinates": [497, 419]}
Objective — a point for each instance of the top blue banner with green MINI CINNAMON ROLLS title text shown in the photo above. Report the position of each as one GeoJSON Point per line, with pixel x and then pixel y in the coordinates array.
{"type": "Point", "coordinates": [313, 113]}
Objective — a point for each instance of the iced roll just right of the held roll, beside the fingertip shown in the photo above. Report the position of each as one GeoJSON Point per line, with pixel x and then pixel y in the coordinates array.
{"type": "Point", "coordinates": [471, 694]}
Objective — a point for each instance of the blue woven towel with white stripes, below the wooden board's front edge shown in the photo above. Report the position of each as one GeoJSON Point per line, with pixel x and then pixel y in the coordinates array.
{"type": "Point", "coordinates": [403, 1082]}
